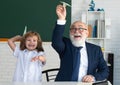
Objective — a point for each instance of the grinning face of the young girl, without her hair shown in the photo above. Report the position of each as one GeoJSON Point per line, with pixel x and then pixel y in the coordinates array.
{"type": "Point", "coordinates": [31, 42]}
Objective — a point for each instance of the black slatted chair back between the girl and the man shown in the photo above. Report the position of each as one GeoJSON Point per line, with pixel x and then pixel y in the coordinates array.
{"type": "Point", "coordinates": [50, 74]}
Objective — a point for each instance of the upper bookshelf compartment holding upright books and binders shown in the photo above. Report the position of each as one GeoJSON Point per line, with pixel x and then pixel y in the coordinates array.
{"type": "Point", "coordinates": [96, 24]}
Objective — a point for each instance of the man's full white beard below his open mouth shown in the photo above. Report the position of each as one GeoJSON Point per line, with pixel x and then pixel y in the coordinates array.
{"type": "Point", "coordinates": [77, 43]}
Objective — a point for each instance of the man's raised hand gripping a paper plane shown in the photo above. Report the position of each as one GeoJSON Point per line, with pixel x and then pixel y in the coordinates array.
{"type": "Point", "coordinates": [61, 12]}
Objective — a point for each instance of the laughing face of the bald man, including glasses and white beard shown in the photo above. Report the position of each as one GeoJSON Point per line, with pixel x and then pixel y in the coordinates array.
{"type": "Point", "coordinates": [78, 33]}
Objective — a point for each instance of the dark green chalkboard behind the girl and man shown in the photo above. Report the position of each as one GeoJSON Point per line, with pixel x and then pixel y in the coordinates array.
{"type": "Point", "coordinates": [37, 15]}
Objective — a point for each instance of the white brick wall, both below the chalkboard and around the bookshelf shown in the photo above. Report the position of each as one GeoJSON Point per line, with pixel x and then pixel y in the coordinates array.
{"type": "Point", "coordinates": [112, 7]}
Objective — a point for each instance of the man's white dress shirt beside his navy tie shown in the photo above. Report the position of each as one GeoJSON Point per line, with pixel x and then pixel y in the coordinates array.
{"type": "Point", "coordinates": [83, 63]}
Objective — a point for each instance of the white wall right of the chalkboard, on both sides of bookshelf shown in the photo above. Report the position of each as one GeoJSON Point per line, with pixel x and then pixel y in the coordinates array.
{"type": "Point", "coordinates": [112, 10]}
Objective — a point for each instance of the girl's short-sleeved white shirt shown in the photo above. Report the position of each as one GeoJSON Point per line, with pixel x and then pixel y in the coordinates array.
{"type": "Point", "coordinates": [27, 71]}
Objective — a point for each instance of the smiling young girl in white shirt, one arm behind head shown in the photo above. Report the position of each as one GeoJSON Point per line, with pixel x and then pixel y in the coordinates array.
{"type": "Point", "coordinates": [30, 57]}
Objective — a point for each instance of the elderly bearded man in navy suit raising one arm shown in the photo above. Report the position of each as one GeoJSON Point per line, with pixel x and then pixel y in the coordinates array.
{"type": "Point", "coordinates": [79, 60]}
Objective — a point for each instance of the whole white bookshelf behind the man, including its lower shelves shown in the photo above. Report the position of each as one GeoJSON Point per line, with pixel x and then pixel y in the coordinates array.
{"type": "Point", "coordinates": [97, 28]}
